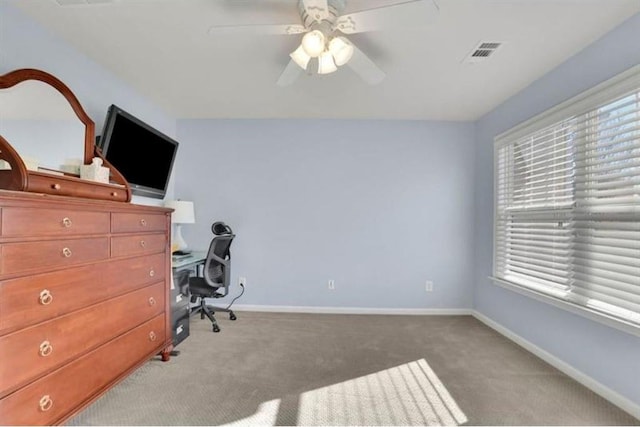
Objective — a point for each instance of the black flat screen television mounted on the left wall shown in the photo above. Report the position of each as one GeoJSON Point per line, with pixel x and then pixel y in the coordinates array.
{"type": "Point", "coordinates": [142, 154]}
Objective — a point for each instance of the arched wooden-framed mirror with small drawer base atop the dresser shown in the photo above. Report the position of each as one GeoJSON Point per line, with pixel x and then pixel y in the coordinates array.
{"type": "Point", "coordinates": [45, 136]}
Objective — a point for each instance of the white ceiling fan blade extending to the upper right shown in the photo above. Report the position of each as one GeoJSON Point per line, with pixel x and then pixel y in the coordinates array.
{"type": "Point", "coordinates": [411, 13]}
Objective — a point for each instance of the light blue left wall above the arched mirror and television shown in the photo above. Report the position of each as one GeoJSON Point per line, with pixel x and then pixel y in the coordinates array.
{"type": "Point", "coordinates": [26, 44]}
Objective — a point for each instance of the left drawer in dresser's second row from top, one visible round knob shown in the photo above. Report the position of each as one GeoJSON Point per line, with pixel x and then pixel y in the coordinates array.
{"type": "Point", "coordinates": [42, 255]}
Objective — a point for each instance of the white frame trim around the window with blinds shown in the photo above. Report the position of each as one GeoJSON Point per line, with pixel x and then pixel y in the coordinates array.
{"type": "Point", "coordinates": [578, 105]}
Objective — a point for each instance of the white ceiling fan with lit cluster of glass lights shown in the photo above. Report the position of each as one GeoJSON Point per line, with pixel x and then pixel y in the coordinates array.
{"type": "Point", "coordinates": [324, 46]}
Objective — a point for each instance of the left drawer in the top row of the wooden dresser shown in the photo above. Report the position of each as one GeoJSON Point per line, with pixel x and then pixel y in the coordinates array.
{"type": "Point", "coordinates": [21, 222]}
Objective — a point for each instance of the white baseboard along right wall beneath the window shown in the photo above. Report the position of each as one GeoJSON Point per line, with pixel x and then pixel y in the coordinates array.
{"type": "Point", "coordinates": [598, 388]}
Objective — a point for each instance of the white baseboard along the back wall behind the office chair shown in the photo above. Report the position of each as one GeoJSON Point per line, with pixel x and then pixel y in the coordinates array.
{"type": "Point", "coordinates": [355, 310]}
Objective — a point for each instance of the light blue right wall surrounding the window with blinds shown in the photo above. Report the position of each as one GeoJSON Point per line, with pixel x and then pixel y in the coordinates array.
{"type": "Point", "coordinates": [607, 355]}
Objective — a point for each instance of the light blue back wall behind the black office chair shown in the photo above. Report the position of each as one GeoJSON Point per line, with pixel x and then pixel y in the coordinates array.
{"type": "Point", "coordinates": [377, 206]}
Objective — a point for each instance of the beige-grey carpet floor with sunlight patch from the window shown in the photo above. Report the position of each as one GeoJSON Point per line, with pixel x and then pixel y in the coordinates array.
{"type": "Point", "coordinates": [319, 369]}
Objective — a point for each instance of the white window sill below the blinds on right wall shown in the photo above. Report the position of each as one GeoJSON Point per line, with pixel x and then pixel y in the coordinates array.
{"type": "Point", "coordinates": [596, 316]}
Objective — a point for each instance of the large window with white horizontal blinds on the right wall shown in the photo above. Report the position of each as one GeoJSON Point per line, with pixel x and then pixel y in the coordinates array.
{"type": "Point", "coordinates": [567, 202]}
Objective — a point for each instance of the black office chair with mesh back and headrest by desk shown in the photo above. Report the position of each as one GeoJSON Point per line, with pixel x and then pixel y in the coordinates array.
{"type": "Point", "coordinates": [215, 276]}
